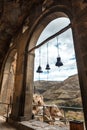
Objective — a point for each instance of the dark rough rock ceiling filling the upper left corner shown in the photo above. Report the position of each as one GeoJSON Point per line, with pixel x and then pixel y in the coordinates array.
{"type": "Point", "coordinates": [12, 17]}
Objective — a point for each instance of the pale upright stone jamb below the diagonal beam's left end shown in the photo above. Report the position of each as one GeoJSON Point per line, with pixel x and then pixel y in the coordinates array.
{"type": "Point", "coordinates": [29, 86]}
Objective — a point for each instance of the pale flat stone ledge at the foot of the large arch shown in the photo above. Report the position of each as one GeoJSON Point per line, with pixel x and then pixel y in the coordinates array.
{"type": "Point", "coordinates": [35, 125]}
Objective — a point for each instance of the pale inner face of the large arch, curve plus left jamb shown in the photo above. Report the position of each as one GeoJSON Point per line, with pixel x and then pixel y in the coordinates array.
{"type": "Point", "coordinates": [30, 57]}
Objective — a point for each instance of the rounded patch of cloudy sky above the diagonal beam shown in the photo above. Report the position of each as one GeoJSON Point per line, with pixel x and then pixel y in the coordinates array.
{"type": "Point", "coordinates": [53, 27]}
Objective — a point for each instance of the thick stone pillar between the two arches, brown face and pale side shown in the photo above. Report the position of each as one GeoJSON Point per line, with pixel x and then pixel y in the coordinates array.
{"type": "Point", "coordinates": [22, 97]}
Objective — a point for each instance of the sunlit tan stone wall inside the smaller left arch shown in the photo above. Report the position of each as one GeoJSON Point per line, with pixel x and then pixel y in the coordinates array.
{"type": "Point", "coordinates": [8, 79]}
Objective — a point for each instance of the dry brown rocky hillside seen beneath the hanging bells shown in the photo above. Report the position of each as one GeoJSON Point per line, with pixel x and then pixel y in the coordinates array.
{"type": "Point", "coordinates": [66, 93]}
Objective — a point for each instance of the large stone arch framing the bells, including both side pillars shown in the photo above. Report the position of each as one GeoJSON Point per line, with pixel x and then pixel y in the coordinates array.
{"type": "Point", "coordinates": [24, 96]}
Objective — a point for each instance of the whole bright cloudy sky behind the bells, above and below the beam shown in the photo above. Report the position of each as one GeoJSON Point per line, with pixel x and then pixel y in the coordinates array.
{"type": "Point", "coordinates": [66, 52]}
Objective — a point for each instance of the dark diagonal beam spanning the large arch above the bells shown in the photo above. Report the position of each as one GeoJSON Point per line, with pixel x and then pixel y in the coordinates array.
{"type": "Point", "coordinates": [51, 37]}
